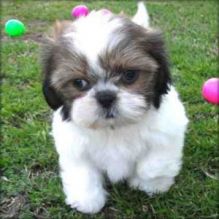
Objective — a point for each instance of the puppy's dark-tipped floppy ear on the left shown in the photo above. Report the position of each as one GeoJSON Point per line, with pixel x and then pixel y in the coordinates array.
{"type": "Point", "coordinates": [49, 60]}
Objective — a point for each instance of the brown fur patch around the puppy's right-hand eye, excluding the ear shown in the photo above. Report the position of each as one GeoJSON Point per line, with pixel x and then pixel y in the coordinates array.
{"type": "Point", "coordinates": [131, 54]}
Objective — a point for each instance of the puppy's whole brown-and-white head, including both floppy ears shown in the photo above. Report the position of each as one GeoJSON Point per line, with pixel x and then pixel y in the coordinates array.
{"type": "Point", "coordinates": [104, 70]}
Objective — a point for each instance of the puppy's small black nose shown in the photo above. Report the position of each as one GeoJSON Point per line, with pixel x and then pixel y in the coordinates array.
{"type": "Point", "coordinates": [106, 98]}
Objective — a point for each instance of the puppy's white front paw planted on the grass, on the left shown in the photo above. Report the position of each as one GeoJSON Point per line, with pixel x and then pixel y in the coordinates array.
{"type": "Point", "coordinates": [90, 202]}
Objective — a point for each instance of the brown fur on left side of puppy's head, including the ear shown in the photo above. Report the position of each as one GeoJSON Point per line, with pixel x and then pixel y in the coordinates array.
{"type": "Point", "coordinates": [61, 66]}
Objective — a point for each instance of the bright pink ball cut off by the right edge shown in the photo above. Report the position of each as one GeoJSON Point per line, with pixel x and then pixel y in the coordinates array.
{"type": "Point", "coordinates": [210, 90]}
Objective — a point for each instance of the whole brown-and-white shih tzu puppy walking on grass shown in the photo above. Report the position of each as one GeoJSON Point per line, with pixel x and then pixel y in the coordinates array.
{"type": "Point", "coordinates": [116, 113]}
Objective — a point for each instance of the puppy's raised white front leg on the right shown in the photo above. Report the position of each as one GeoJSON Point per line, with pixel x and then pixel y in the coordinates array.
{"type": "Point", "coordinates": [155, 173]}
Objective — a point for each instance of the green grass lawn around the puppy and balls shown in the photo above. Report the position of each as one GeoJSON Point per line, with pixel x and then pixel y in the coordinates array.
{"type": "Point", "coordinates": [30, 184]}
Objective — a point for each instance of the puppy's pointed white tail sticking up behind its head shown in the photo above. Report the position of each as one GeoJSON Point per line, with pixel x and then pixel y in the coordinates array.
{"type": "Point", "coordinates": [141, 17]}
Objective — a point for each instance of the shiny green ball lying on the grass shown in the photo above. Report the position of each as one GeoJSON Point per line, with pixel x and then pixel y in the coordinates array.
{"type": "Point", "coordinates": [14, 28]}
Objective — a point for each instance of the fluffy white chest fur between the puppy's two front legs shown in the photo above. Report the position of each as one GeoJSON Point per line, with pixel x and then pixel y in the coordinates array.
{"type": "Point", "coordinates": [116, 151]}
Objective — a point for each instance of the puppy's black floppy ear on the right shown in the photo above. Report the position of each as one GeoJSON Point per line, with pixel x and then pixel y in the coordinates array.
{"type": "Point", "coordinates": [156, 48]}
